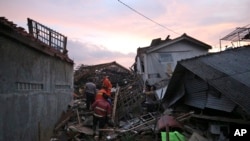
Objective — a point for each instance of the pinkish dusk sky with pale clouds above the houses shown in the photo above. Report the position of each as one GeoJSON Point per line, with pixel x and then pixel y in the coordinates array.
{"type": "Point", "coordinates": [102, 31]}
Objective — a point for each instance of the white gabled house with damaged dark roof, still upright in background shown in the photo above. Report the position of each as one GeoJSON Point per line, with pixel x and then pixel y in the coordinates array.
{"type": "Point", "coordinates": [157, 62]}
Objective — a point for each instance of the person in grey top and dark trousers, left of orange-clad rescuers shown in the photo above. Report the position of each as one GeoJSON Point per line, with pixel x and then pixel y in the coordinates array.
{"type": "Point", "coordinates": [90, 92]}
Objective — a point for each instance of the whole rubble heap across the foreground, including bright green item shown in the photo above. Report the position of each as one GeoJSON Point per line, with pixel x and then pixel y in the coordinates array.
{"type": "Point", "coordinates": [134, 122]}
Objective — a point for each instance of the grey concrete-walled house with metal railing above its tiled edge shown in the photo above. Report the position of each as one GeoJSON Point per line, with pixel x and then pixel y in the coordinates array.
{"type": "Point", "coordinates": [36, 82]}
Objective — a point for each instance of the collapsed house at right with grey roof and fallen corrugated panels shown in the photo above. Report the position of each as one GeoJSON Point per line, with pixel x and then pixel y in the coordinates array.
{"type": "Point", "coordinates": [216, 86]}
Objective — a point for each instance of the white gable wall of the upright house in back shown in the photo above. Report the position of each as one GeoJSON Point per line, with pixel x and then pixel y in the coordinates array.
{"type": "Point", "coordinates": [178, 51]}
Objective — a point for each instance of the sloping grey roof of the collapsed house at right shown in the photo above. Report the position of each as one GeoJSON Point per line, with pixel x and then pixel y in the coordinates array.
{"type": "Point", "coordinates": [227, 71]}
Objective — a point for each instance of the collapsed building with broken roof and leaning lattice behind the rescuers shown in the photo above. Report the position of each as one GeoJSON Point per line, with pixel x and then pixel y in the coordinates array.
{"type": "Point", "coordinates": [122, 79]}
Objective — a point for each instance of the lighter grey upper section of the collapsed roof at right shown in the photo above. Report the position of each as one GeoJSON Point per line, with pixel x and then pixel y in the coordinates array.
{"type": "Point", "coordinates": [231, 63]}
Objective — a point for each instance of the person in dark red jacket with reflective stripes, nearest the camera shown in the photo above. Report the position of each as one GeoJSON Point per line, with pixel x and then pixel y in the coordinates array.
{"type": "Point", "coordinates": [102, 113]}
